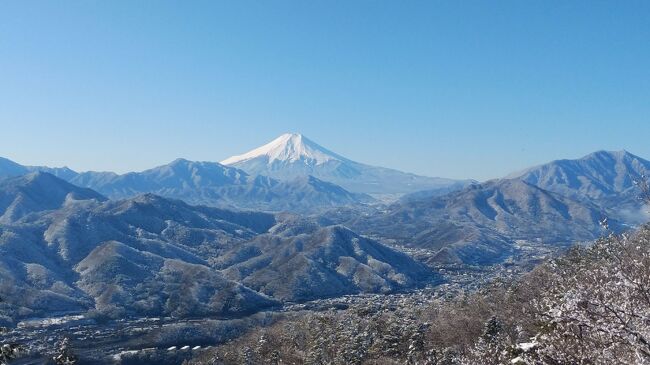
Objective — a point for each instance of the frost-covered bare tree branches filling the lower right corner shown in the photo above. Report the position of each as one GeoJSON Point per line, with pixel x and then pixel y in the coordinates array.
{"type": "Point", "coordinates": [598, 310]}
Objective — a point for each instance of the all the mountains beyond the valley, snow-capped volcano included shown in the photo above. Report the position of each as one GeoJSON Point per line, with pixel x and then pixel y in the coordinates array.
{"type": "Point", "coordinates": [289, 221]}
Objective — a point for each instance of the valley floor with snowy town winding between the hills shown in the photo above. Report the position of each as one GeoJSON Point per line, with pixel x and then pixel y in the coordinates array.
{"type": "Point", "coordinates": [168, 340]}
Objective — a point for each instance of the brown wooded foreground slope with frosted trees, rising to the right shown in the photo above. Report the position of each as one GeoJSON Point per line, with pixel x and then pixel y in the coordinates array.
{"type": "Point", "coordinates": [588, 306]}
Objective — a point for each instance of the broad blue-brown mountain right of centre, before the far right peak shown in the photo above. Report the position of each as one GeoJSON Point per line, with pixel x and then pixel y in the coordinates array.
{"type": "Point", "coordinates": [480, 223]}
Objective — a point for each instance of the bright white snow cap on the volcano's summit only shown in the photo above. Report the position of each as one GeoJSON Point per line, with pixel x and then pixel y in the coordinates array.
{"type": "Point", "coordinates": [289, 147]}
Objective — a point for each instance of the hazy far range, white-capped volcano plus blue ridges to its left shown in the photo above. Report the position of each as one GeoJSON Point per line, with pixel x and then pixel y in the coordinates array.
{"type": "Point", "coordinates": [292, 173]}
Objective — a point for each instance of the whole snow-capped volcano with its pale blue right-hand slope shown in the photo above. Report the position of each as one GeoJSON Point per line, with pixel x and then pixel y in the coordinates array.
{"type": "Point", "coordinates": [293, 155]}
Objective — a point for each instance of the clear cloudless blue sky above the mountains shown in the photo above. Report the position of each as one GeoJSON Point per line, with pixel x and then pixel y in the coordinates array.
{"type": "Point", "coordinates": [464, 89]}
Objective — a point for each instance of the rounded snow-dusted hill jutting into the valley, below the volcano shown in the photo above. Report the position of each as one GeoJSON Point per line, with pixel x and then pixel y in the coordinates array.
{"type": "Point", "coordinates": [320, 263]}
